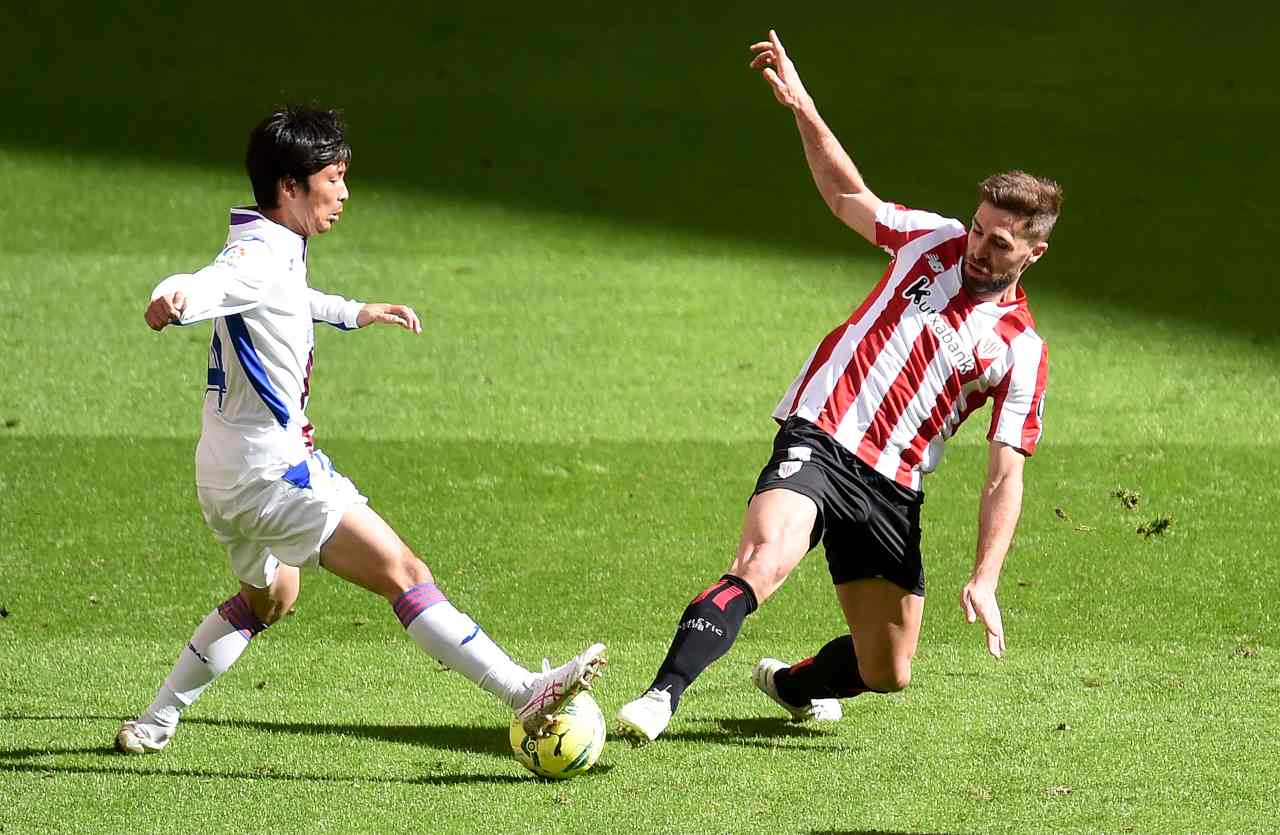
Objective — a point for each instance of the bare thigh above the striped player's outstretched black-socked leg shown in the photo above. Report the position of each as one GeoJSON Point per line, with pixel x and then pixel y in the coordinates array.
{"type": "Point", "coordinates": [776, 535]}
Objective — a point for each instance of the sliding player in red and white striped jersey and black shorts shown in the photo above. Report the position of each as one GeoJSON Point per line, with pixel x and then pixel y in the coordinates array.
{"type": "Point", "coordinates": [945, 331]}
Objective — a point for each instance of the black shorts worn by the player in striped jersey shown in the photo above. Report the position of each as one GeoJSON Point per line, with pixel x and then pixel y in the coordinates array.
{"type": "Point", "coordinates": [868, 524]}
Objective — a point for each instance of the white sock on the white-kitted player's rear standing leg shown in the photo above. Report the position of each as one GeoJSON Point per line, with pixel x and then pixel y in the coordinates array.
{"type": "Point", "coordinates": [214, 647]}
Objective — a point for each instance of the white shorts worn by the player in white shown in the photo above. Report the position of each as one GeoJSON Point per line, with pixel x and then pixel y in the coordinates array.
{"type": "Point", "coordinates": [266, 523]}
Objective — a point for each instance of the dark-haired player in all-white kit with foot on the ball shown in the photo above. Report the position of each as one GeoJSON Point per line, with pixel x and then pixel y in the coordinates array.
{"type": "Point", "coordinates": [273, 500]}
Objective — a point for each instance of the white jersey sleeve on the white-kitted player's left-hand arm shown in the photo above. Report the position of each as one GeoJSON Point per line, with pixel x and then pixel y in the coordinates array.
{"type": "Point", "coordinates": [234, 284]}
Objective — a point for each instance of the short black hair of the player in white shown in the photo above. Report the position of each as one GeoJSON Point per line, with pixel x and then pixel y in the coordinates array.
{"type": "Point", "coordinates": [294, 143]}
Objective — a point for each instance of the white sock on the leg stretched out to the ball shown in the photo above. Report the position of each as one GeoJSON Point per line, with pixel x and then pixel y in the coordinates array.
{"type": "Point", "coordinates": [460, 645]}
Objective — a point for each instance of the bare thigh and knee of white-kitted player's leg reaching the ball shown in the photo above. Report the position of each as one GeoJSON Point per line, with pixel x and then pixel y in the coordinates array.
{"type": "Point", "coordinates": [367, 551]}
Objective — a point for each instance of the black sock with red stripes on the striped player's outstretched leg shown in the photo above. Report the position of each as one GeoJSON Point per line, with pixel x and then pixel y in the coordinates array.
{"type": "Point", "coordinates": [706, 632]}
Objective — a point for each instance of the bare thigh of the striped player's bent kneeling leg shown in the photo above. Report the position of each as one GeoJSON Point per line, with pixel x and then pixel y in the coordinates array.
{"type": "Point", "coordinates": [885, 620]}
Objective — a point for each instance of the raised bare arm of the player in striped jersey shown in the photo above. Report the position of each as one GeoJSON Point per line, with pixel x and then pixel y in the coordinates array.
{"type": "Point", "coordinates": [834, 172]}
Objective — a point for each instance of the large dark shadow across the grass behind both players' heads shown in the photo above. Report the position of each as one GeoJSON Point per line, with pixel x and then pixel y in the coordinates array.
{"type": "Point", "coordinates": [652, 109]}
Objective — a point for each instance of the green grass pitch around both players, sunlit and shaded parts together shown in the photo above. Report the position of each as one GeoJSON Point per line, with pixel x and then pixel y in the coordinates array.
{"type": "Point", "coordinates": [612, 305]}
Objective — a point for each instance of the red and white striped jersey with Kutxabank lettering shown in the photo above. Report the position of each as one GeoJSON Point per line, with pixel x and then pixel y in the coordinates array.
{"type": "Point", "coordinates": [920, 355]}
